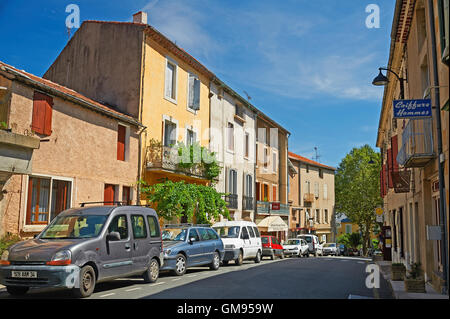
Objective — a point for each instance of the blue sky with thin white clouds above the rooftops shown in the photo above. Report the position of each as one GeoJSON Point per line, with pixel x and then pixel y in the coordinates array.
{"type": "Point", "coordinates": [307, 64]}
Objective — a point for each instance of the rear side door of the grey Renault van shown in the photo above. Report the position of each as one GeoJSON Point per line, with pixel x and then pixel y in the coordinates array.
{"type": "Point", "coordinates": [140, 243]}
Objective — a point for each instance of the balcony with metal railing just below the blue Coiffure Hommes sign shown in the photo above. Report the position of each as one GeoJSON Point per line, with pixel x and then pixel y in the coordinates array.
{"type": "Point", "coordinates": [417, 143]}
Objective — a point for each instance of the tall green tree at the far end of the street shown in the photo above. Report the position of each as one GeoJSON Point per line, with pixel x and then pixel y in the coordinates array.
{"type": "Point", "coordinates": [357, 186]}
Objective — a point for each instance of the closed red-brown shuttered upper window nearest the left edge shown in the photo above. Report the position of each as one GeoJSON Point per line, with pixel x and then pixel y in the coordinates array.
{"type": "Point", "coordinates": [42, 114]}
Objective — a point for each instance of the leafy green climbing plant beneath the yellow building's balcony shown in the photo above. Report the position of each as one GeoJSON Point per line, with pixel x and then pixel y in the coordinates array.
{"type": "Point", "coordinates": [189, 202]}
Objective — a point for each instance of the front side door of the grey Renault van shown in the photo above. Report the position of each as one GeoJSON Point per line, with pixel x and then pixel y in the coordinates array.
{"type": "Point", "coordinates": [116, 259]}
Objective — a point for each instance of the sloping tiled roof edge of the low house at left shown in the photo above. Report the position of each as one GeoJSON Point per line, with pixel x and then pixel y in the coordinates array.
{"type": "Point", "coordinates": [65, 93]}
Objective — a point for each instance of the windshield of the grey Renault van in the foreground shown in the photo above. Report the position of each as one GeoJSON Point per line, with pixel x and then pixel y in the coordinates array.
{"type": "Point", "coordinates": [74, 226]}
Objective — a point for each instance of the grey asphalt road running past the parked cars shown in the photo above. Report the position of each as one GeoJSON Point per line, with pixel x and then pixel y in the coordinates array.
{"type": "Point", "coordinates": [290, 278]}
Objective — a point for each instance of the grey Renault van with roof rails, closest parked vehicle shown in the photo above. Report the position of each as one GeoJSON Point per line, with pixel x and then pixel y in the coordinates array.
{"type": "Point", "coordinates": [84, 246]}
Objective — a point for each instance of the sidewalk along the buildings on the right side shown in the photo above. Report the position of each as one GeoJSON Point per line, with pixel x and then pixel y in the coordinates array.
{"type": "Point", "coordinates": [398, 287]}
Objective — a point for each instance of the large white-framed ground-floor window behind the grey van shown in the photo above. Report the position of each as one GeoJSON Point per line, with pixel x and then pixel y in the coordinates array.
{"type": "Point", "coordinates": [47, 198]}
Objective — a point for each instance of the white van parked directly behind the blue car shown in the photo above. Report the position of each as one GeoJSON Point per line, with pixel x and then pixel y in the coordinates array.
{"type": "Point", "coordinates": [241, 240]}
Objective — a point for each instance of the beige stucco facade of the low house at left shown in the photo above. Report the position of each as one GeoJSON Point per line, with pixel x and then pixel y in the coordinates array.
{"type": "Point", "coordinates": [80, 152]}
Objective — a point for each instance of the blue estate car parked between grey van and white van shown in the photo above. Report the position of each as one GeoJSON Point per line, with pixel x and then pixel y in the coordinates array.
{"type": "Point", "coordinates": [188, 245]}
